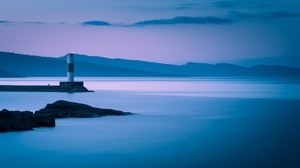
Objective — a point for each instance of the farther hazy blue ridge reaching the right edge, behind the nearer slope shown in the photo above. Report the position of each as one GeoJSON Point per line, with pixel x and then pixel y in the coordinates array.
{"type": "Point", "coordinates": [194, 69]}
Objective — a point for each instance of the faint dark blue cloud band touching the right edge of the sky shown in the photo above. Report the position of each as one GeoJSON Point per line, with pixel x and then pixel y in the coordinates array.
{"type": "Point", "coordinates": [263, 16]}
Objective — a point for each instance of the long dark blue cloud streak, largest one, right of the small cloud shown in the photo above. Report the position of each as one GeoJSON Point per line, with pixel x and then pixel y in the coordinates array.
{"type": "Point", "coordinates": [186, 20]}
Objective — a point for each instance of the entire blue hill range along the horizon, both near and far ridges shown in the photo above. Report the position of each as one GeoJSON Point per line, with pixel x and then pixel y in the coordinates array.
{"type": "Point", "coordinates": [94, 66]}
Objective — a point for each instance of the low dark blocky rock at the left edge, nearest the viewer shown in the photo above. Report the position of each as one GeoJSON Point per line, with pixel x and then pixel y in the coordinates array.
{"type": "Point", "coordinates": [23, 121]}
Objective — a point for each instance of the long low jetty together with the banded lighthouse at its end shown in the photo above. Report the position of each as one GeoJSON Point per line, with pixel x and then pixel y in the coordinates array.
{"type": "Point", "coordinates": [64, 86]}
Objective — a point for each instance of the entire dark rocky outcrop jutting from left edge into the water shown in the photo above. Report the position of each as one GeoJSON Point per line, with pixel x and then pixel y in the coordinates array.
{"type": "Point", "coordinates": [26, 120]}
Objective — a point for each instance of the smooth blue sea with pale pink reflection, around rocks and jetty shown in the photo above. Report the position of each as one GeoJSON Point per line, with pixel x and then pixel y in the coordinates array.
{"type": "Point", "coordinates": [178, 123]}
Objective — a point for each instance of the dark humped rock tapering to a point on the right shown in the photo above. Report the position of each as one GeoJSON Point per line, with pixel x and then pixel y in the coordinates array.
{"type": "Point", "coordinates": [65, 109]}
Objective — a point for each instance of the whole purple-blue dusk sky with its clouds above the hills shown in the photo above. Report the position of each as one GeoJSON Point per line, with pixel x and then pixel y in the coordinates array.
{"type": "Point", "coordinates": [176, 31]}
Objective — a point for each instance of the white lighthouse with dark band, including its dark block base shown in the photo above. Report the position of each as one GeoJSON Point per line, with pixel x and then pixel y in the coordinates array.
{"type": "Point", "coordinates": [71, 85]}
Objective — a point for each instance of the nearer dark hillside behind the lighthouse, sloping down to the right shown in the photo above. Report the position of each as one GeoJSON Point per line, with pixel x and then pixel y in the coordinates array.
{"type": "Point", "coordinates": [36, 66]}
